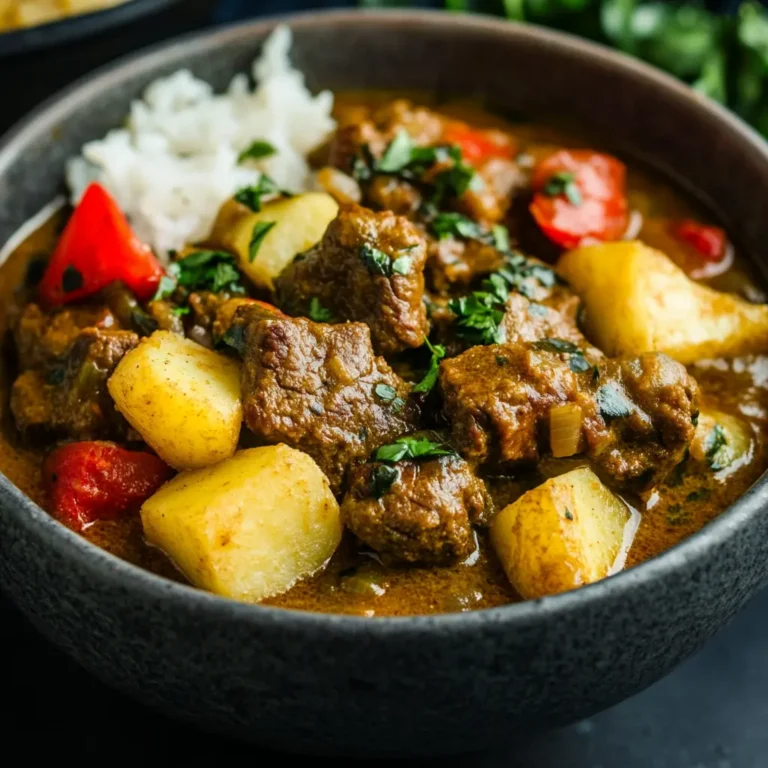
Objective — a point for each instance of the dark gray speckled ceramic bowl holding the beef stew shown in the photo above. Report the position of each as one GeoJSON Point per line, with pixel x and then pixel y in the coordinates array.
{"type": "Point", "coordinates": [317, 683]}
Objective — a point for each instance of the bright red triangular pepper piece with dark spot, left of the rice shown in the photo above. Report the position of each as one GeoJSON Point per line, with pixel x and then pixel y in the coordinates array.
{"type": "Point", "coordinates": [97, 248]}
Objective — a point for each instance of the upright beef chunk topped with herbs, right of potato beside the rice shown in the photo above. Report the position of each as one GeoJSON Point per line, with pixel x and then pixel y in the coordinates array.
{"type": "Point", "coordinates": [368, 267]}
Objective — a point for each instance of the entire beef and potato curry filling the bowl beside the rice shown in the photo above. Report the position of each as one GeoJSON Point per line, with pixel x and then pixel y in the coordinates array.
{"type": "Point", "coordinates": [483, 361]}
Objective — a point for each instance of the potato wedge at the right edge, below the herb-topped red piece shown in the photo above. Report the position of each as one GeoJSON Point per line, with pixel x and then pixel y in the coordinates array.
{"type": "Point", "coordinates": [637, 300]}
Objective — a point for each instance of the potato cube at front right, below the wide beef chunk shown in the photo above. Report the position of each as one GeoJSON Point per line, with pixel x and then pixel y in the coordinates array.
{"type": "Point", "coordinates": [566, 532]}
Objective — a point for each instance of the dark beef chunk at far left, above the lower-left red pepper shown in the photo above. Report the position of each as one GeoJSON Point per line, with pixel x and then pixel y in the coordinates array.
{"type": "Point", "coordinates": [72, 400]}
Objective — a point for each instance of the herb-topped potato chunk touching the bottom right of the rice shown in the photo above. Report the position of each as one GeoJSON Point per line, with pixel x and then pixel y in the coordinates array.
{"type": "Point", "coordinates": [299, 223]}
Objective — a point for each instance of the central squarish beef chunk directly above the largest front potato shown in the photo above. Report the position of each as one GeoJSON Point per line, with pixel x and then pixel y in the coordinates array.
{"type": "Point", "coordinates": [320, 388]}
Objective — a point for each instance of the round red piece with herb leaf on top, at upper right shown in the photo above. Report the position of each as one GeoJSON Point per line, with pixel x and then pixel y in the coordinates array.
{"type": "Point", "coordinates": [580, 195]}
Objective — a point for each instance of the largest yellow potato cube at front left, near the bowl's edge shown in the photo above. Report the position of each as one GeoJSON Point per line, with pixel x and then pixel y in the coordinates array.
{"type": "Point", "coordinates": [251, 526]}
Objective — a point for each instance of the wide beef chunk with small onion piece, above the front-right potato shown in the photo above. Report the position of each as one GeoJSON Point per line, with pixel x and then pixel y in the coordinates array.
{"type": "Point", "coordinates": [636, 412]}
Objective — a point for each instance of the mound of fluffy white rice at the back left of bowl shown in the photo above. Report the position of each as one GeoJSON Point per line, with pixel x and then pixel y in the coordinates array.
{"type": "Point", "coordinates": [175, 162]}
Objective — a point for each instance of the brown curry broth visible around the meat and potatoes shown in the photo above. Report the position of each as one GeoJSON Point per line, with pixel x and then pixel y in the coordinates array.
{"type": "Point", "coordinates": [354, 582]}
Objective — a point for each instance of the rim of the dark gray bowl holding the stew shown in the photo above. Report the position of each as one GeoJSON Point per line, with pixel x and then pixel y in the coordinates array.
{"type": "Point", "coordinates": [122, 574]}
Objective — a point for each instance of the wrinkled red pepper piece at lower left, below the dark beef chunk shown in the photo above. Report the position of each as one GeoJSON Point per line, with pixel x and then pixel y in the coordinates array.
{"type": "Point", "coordinates": [93, 481]}
